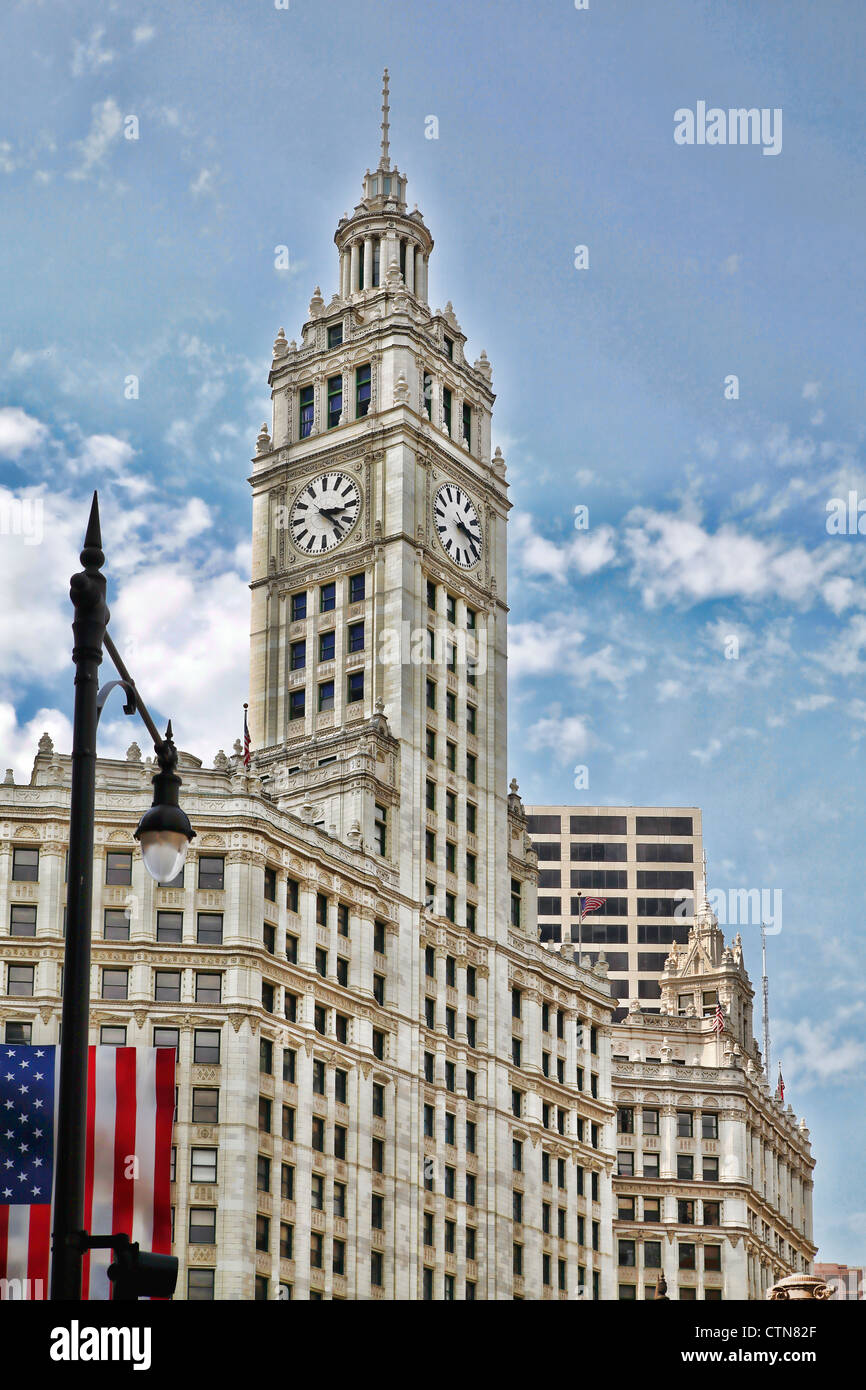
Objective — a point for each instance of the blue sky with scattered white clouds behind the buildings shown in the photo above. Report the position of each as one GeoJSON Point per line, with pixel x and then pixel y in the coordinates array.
{"type": "Point", "coordinates": [154, 258]}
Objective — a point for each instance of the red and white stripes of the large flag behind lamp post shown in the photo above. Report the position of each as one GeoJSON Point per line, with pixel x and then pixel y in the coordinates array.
{"type": "Point", "coordinates": [127, 1175]}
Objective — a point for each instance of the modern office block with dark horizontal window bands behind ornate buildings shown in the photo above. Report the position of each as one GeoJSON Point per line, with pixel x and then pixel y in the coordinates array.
{"type": "Point", "coordinates": [644, 861]}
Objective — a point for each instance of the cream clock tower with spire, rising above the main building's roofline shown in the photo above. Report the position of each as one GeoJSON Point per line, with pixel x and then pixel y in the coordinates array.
{"type": "Point", "coordinates": [379, 593]}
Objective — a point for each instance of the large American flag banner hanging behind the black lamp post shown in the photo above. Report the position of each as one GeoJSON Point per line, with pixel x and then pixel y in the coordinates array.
{"type": "Point", "coordinates": [129, 1159]}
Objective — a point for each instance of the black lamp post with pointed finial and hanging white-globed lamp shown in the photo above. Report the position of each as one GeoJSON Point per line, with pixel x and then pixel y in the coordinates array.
{"type": "Point", "coordinates": [165, 835]}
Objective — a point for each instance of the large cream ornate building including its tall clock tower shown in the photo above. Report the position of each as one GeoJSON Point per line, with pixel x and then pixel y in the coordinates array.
{"type": "Point", "coordinates": [387, 1086]}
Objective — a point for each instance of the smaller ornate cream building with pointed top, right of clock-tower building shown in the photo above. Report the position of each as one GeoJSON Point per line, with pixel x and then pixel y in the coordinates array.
{"type": "Point", "coordinates": [714, 1178]}
